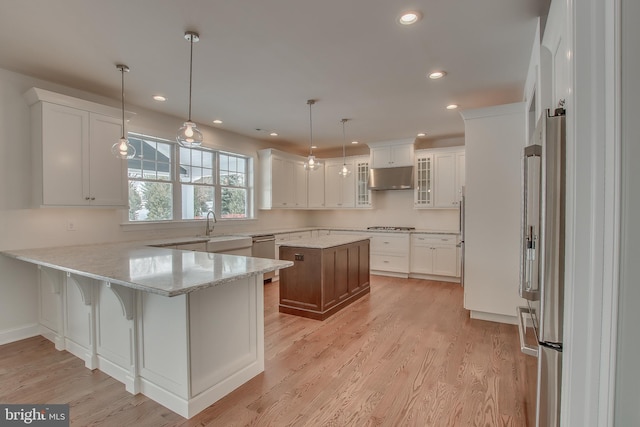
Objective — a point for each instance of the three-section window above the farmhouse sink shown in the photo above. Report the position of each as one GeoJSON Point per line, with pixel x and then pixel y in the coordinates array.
{"type": "Point", "coordinates": [169, 182]}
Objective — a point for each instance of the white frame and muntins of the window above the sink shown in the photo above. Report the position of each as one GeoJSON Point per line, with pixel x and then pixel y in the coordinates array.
{"type": "Point", "coordinates": [177, 183]}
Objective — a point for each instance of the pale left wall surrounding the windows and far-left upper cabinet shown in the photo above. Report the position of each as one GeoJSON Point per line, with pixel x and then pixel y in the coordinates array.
{"type": "Point", "coordinates": [24, 227]}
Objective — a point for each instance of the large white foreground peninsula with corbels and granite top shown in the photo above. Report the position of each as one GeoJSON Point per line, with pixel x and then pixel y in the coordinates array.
{"type": "Point", "coordinates": [184, 328]}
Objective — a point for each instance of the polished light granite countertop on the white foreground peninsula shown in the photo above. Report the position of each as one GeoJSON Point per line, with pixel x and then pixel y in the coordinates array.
{"type": "Point", "coordinates": [167, 272]}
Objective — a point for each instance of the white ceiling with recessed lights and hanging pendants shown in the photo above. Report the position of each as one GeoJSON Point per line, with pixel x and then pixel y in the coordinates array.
{"type": "Point", "coordinates": [259, 61]}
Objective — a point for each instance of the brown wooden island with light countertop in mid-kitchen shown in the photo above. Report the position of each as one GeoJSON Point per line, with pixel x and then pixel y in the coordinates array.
{"type": "Point", "coordinates": [329, 273]}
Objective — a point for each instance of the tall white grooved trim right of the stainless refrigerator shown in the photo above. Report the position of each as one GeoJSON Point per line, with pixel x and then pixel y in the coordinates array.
{"type": "Point", "coordinates": [593, 201]}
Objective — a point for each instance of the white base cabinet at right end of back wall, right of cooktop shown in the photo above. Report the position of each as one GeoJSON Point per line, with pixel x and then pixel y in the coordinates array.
{"type": "Point", "coordinates": [434, 254]}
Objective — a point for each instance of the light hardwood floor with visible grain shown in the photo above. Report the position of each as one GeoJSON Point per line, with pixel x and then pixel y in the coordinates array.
{"type": "Point", "coordinates": [405, 355]}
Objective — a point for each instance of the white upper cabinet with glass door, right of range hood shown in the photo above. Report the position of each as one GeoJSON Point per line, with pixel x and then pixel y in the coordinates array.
{"type": "Point", "coordinates": [439, 178]}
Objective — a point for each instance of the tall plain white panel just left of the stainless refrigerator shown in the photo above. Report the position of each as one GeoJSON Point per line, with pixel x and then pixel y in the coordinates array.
{"type": "Point", "coordinates": [495, 138]}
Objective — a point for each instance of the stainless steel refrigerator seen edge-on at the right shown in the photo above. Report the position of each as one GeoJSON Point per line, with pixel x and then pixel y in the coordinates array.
{"type": "Point", "coordinates": [542, 260]}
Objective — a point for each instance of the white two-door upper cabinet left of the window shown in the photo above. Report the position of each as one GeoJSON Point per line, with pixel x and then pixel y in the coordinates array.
{"type": "Point", "coordinates": [73, 164]}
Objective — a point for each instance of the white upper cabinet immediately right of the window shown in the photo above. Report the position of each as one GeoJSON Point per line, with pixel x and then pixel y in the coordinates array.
{"type": "Point", "coordinates": [283, 180]}
